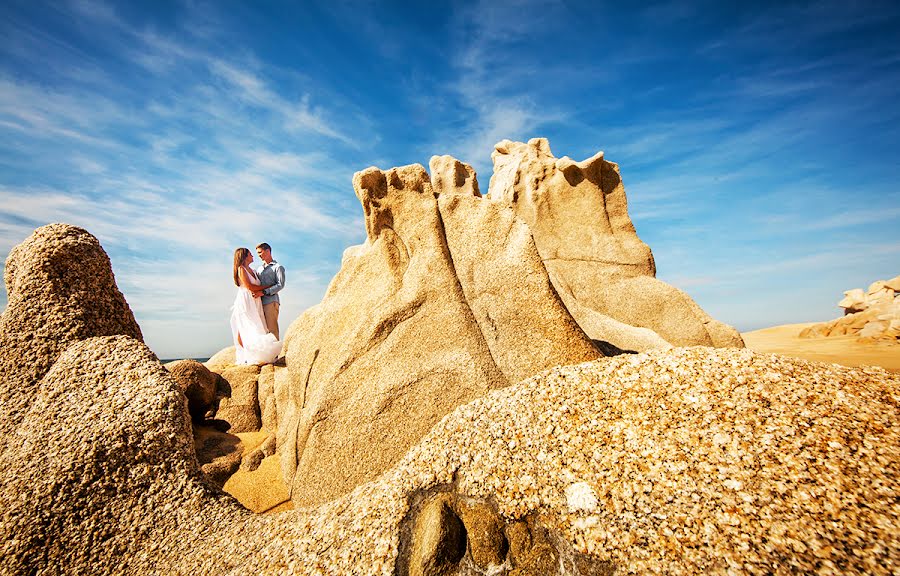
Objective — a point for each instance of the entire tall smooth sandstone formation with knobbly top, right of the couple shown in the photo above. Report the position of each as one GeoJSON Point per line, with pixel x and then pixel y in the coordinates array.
{"type": "Point", "coordinates": [454, 294]}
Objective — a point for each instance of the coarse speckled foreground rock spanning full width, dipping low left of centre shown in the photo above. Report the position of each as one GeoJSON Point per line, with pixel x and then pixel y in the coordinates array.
{"type": "Point", "coordinates": [687, 461]}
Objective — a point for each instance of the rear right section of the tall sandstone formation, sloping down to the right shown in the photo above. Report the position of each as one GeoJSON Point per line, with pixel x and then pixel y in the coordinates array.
{"type": "Point", "coordinates": [604, 273]}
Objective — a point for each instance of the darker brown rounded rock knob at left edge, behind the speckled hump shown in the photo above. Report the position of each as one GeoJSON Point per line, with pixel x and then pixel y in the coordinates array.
{"type": "Point", "coordinates": [61, 289]}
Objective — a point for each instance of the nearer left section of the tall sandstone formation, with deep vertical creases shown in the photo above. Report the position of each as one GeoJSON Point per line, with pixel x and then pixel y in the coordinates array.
{"type": "Point", "coordinates": [446, 300]}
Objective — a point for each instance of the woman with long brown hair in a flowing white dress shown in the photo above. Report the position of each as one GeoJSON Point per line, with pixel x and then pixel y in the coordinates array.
{"type": "Point", "coordinates": [253, 344]}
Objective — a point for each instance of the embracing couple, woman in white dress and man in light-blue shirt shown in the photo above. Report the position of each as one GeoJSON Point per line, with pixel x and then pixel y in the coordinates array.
{"type": "Point", "coordinates": [254, 316]}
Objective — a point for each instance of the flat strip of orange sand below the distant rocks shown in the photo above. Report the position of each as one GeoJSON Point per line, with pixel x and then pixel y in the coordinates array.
{"type": "Point", "coordinates": [845, 350]}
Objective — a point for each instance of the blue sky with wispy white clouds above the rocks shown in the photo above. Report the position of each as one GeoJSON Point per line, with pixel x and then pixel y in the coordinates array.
{"type": "Point", "coordinates": [758, 143]}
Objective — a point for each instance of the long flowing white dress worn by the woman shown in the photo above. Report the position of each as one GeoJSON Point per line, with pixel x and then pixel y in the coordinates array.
{"type": "Point", "coordinates": [258, 345]}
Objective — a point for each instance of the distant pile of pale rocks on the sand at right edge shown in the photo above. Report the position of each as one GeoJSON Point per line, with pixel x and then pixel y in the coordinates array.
{"type": "Point", "coordinates": [873, 315]}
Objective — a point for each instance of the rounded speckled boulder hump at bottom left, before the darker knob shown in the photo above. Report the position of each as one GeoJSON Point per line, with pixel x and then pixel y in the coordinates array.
{"type": "Point", "coordinates": [105, 470]}
